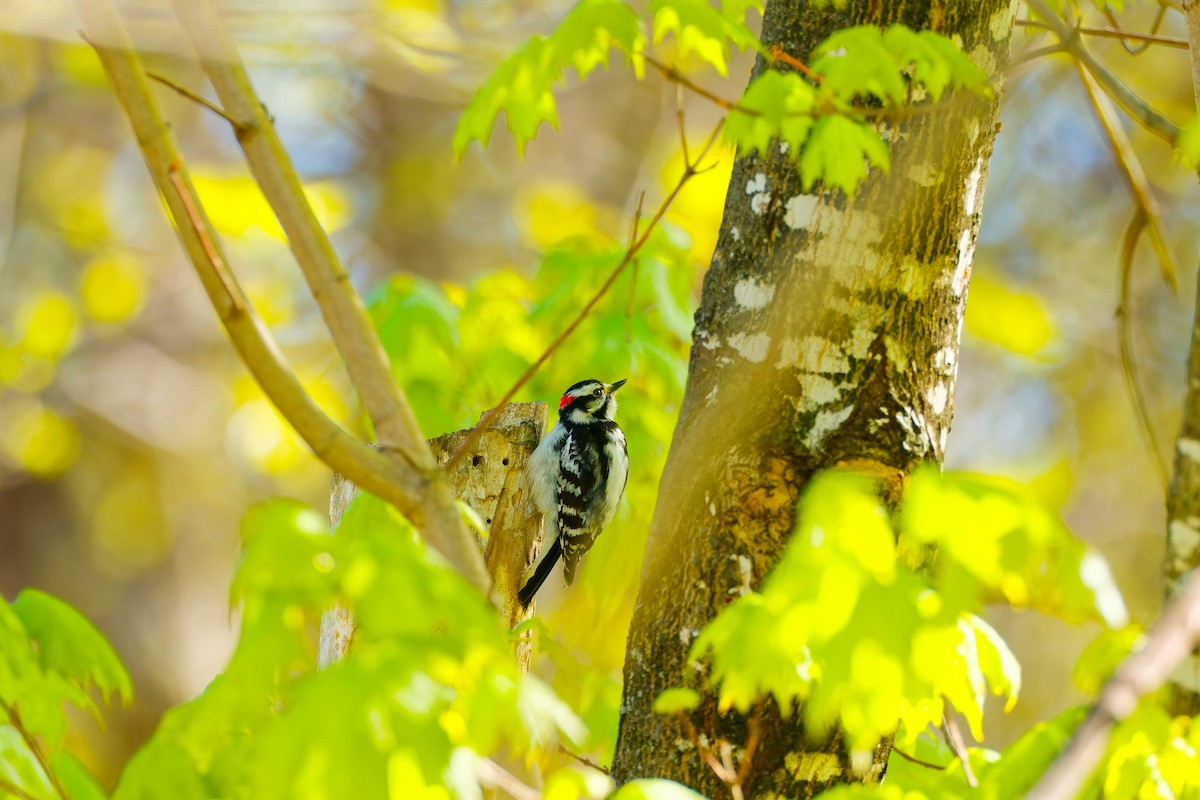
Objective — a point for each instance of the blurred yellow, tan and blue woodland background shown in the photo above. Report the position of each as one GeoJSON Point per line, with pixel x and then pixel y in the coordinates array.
{"type": "Point", "coordinates": [133, 441]}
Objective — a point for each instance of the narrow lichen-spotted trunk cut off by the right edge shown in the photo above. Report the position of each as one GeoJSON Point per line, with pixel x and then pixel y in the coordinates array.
{"type": "Point", "coordinates": [1184, 497]}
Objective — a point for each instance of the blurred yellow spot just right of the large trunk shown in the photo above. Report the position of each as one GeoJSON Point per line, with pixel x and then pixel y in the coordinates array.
{"type": "Point", "coordinates": [1007, 317]}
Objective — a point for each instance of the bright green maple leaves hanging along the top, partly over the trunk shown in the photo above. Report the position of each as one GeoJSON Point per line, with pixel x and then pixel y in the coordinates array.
{"type": "Point", "coordinates": [824, 118]}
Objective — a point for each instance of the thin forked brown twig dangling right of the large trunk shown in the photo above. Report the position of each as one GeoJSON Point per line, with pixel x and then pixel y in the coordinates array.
{"type": "Point", "coordinates": [1147, 219]}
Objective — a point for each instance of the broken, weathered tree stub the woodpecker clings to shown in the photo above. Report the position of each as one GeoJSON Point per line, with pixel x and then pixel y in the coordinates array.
{"type": "Point", "coordinates": [491, 483]}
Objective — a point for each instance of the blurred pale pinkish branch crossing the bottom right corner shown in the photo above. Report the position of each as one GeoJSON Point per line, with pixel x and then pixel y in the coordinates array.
{"type": "Point", "coordinates": [1173, 640]}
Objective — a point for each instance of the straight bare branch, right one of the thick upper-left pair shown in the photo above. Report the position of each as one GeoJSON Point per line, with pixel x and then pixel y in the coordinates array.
{"type": "Point", "coordinates": [328, 281]}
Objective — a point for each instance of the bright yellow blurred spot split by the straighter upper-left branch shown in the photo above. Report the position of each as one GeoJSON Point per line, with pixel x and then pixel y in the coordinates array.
{"type": "Point", "coordinates": [237, 207]}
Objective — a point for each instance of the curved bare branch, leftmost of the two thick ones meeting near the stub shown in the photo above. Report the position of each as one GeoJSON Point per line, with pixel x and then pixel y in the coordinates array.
{"type": "Point", "coordinates": [422, 497]}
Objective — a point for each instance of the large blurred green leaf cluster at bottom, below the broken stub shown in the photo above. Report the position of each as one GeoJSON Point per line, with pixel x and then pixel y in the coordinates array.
{"type": "Point", "coordinates": [429, 689]}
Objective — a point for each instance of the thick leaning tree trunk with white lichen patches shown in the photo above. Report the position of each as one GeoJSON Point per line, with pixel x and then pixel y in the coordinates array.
{"type": "Point", "coordinates": [827, 335]}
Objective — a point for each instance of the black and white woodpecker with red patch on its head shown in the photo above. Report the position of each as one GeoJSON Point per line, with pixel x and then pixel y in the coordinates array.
{"type": "Point", "coordinates": [578, 476]}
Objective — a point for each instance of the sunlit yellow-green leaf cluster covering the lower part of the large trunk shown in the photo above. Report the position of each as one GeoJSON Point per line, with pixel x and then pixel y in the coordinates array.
{"type": "Point", "coordinates": [861, 625]}
